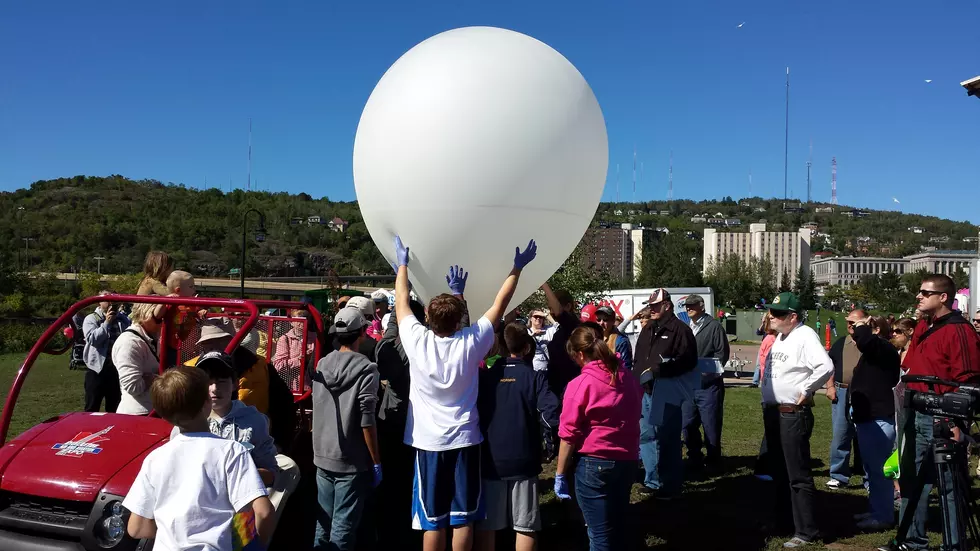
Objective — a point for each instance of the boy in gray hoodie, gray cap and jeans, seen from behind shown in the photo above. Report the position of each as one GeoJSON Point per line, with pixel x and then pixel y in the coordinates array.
{"type": "Point", "coordinates": [345, 439]}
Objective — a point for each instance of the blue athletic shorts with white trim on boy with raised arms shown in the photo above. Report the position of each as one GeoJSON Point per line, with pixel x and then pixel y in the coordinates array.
{"type": "Point", "coordinates": [447, 488]}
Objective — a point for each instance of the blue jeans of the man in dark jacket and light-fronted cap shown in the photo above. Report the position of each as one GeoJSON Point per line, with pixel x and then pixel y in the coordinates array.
{"type": "Point", "coordinates": [660, 449]}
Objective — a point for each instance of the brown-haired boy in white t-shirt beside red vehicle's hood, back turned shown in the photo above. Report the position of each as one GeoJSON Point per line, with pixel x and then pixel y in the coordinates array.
{"type": "Point", "coordinates": [189, 490]}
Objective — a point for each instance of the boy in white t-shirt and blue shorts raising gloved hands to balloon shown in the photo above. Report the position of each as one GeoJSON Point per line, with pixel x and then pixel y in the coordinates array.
{"type": "Point", "coordinates": [443, 423]}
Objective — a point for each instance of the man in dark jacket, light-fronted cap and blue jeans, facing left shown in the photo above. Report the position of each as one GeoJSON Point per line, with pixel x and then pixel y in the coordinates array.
{"type": "Point", "coordinates": [666, 364]}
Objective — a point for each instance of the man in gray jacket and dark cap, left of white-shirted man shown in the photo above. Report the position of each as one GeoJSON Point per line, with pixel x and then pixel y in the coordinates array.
{"type": "Point", "coordinates": [708, 405]}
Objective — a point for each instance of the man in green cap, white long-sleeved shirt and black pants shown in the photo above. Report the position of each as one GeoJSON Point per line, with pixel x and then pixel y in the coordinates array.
{"type": "Point", "coordinates": [797, 367]}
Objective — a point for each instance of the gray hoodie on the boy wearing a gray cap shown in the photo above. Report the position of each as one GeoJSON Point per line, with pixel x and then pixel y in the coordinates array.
{"type": "Point", "coordinates": [345, 395]}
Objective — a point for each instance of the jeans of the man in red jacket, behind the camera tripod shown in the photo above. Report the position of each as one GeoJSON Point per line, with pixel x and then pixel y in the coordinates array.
{"type": "Point", "coordinates": [916, 537]}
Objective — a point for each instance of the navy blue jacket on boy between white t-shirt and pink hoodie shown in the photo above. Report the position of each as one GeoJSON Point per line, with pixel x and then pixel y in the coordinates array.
{"type": "Point", "coordinates": [514, 403]}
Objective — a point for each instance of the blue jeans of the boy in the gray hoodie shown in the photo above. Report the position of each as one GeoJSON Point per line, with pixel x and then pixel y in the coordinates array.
{"type": "Point", "coordinates": [340, 499]}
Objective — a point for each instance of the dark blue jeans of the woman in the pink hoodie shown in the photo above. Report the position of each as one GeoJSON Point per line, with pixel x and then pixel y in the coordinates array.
{"type": "Point", "coordinates": [602, 489]}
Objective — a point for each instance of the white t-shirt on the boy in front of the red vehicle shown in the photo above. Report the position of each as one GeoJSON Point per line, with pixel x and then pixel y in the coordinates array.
{"type": "Point", "coordinates": [192, 486]}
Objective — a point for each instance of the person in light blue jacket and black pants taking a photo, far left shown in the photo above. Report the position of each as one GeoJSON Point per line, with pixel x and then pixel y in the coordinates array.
{"type": "Point", "coordinates": [100, 330]}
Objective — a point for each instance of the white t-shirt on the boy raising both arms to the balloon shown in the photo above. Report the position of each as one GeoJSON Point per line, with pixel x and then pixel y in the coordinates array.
{"type": "Point", "coordinates": [445, 374]}
